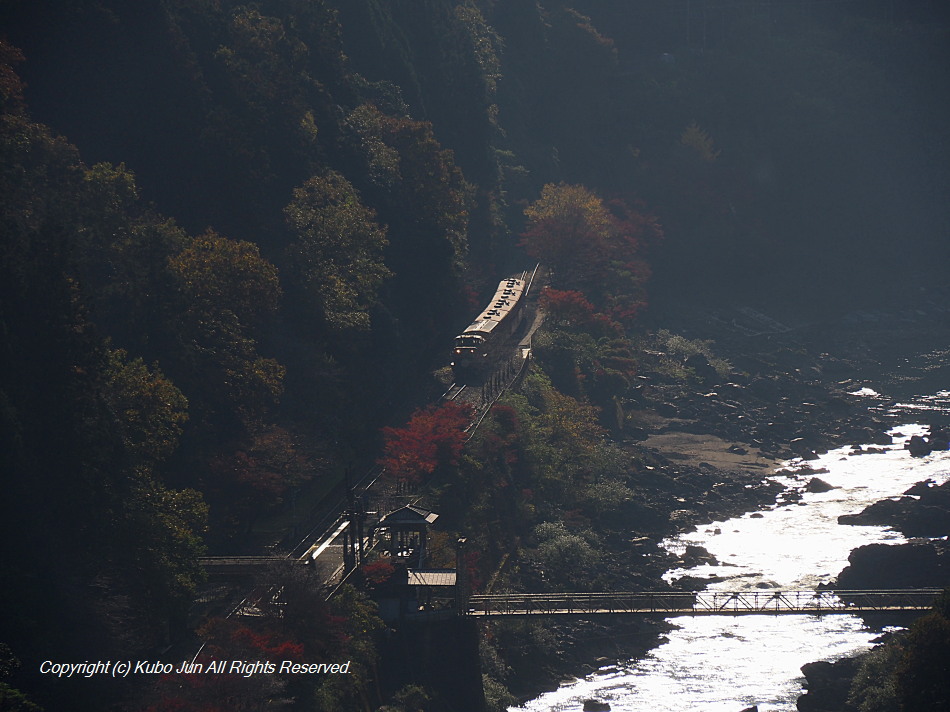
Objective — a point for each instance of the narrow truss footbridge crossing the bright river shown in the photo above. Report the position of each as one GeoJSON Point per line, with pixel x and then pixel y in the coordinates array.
{"type": "Point", "coordinates": [699, 603]}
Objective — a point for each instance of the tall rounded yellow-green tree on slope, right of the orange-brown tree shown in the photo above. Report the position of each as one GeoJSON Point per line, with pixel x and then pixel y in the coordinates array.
{"type": "Point", "coordinates": [338, 256]}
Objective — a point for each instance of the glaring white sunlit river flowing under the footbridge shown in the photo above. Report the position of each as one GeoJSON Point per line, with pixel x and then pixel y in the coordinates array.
{"type": "Point", "coordinates": [725, 663]}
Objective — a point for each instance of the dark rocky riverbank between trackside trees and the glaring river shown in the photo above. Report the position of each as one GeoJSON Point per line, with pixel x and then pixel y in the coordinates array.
{"type": "Point", "coordinates": [708, 443]}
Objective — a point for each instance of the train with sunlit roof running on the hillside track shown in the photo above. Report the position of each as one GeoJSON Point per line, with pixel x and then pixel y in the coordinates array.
{"type": "Point", "coordinates": [497, 321]}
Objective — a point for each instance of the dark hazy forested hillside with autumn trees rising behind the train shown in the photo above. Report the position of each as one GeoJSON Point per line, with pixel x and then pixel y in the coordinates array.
{"type": "Point", "coordinates": [237, 237]}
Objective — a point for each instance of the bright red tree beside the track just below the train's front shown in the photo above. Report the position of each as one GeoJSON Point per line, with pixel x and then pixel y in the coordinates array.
{"type": "Point", "coordinates": [433, 437]}
